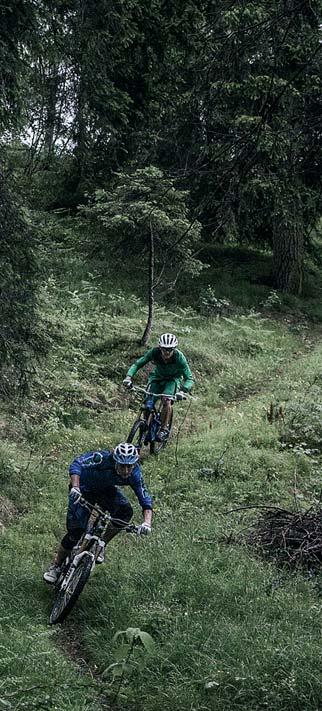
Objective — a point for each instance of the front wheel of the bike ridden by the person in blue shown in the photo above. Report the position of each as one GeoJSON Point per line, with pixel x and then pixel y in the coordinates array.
{"type": "Point", "coordinates": [65, 599]}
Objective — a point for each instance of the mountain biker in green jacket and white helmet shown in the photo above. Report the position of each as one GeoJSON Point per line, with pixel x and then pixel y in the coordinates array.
{"type": "Point", "coordinates": [171, 376]}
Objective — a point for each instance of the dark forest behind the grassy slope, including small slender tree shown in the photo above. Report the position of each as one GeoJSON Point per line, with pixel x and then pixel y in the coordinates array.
{"type": "Point", "coordinates": [161, 127]}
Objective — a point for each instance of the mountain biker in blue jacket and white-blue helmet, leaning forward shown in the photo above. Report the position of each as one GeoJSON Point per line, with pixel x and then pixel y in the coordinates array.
{"type": "Point", "coordinates": [97, 477]}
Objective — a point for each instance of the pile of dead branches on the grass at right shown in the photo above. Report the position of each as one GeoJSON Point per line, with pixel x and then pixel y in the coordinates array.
{"type": "Point", "coordinates": [292, 538]}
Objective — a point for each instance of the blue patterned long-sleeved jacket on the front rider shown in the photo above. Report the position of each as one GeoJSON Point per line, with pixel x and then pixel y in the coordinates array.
{"type": "Point", "coordinates": [97, 472]}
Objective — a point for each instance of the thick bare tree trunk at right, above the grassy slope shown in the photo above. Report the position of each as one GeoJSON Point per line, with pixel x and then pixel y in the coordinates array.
{"type": "Point", "coordinates": [288, 249]}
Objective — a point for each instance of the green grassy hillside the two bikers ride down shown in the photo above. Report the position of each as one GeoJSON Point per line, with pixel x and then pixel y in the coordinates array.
{"type": "Point", "coordinates": [230, 629]}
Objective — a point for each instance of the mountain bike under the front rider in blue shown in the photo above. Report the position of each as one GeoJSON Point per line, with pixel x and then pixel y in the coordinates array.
{"type": "Point", "coordinates": [78, 566]}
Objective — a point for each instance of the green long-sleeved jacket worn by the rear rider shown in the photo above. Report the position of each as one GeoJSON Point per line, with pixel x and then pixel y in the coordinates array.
{"type": "Point", "coordinates": [177, 367]}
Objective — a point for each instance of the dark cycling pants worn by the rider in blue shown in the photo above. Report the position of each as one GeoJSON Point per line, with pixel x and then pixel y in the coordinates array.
{"type": "Point", "coordinates": [112, 500]}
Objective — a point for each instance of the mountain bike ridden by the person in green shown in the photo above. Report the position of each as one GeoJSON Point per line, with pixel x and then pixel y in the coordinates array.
{"type": "Point", "coordinates": [147, 425]}
